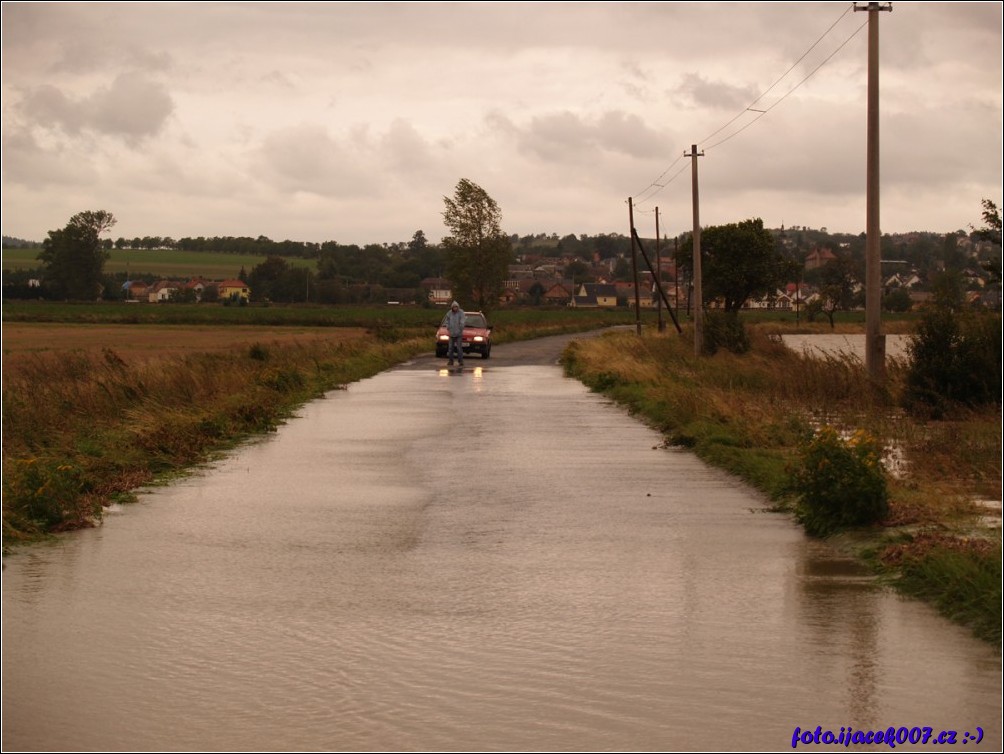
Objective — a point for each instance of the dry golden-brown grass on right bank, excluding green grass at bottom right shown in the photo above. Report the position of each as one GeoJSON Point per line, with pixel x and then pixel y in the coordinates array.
{"type": "Point", "coordinates": [773, 397]}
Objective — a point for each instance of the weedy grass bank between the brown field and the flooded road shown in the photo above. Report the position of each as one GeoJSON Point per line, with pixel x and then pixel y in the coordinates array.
{"type": "Point", "coordinates": [83, 430]}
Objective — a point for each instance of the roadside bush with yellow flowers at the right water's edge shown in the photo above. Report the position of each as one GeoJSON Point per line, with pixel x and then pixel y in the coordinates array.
{"type": "Point", "coordinates": [841, 483]}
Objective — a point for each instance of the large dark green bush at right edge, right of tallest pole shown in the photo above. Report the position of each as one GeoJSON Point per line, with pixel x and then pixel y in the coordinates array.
{"type": "Point", "coordinates": [955, 360]}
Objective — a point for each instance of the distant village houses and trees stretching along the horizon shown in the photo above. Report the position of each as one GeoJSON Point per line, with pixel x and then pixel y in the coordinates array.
{"type": "Point", "coordinates": [571, 272]}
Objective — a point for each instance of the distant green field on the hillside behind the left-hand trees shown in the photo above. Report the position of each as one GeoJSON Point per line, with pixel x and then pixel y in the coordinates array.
{"type": "Point", "coordinates": [167, 264]}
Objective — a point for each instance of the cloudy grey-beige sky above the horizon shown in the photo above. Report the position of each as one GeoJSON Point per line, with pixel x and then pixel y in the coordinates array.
{"type": "Point", "coordinates": [351, 122]}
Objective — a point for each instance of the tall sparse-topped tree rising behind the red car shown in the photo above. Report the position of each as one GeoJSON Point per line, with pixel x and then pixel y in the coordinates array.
{"type": "Point", "coordinates": [478, 253]}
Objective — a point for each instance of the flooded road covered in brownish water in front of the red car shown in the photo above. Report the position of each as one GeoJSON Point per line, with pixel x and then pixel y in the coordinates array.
{"type": "Point", "coordinates": [493, 560]}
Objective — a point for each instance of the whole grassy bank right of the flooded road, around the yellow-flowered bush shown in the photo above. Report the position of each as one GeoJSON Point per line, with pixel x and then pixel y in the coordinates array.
{"type": "Point", "coordinates": [754, 414]}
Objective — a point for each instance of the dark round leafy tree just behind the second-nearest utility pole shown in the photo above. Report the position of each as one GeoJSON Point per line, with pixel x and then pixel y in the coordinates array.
{"type": "Point", "coordinates": [738, 262]}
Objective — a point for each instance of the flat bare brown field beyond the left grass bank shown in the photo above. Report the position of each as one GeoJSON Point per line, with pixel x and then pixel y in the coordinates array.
{"type": "Point", "coordinates": [139, 343]}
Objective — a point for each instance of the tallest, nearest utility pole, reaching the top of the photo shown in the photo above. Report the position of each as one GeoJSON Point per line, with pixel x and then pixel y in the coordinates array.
{"type": "Point", "coordinates": [875, 341]}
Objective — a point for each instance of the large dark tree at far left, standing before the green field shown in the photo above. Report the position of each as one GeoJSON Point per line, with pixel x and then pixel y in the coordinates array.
{"type": "Point", "coordinates": [74, 258]}
